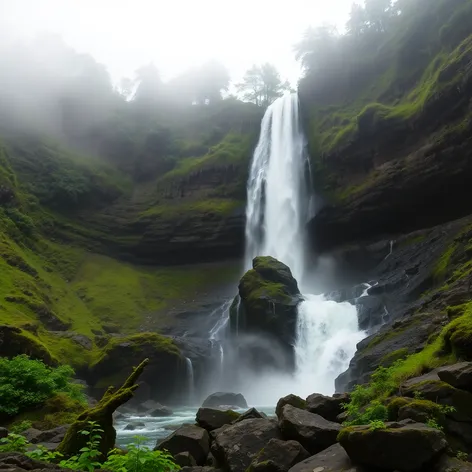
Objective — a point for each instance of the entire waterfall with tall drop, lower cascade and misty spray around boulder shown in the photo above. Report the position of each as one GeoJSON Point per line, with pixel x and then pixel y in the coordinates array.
{"type": "Point", "coordinates": [279, 204]}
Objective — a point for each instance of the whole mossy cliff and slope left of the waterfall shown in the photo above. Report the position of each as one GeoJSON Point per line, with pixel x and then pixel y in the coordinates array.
{"type": "Point", "coordinates": [85, 247]}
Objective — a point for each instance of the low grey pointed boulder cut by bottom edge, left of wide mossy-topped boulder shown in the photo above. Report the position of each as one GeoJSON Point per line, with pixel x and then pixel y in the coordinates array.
{"type": "Point", "coordinates": [333, 459]}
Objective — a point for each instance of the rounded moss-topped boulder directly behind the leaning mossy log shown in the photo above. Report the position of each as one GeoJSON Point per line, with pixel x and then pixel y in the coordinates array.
{"type": "Point", "coordinates": [165, 374]}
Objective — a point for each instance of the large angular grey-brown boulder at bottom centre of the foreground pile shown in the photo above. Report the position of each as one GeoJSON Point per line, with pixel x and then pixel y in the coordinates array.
{"type": "Point", "coordinates": [235, 446]}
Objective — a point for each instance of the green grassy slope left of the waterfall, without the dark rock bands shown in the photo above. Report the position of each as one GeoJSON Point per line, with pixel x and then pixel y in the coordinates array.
{"type": "Point", "coordinates": [48, 258]}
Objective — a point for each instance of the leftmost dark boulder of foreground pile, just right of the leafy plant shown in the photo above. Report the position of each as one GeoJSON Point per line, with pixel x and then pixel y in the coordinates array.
{"type": "Point", "coordinates": [187, 438]}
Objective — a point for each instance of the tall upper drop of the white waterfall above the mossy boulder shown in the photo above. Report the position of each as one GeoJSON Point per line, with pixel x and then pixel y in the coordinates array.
{"type": "Point", "coordinates": [278, 197]}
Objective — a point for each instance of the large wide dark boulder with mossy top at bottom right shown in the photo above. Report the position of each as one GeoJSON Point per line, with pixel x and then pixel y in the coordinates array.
{"type": "Point", "coordinates": [399, 446]}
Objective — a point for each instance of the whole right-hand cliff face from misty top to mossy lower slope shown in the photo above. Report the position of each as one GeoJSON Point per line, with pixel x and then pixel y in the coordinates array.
{"type": "Point", "coordinates": [390, 140]}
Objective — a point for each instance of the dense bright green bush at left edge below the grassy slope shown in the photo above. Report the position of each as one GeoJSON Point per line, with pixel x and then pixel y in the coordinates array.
{"type": "Point", "coordinates": [26, 383]}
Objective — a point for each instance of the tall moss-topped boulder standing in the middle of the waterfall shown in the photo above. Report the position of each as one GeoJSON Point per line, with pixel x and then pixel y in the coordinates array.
{"type": "Point", "coordinates": [267, 305]}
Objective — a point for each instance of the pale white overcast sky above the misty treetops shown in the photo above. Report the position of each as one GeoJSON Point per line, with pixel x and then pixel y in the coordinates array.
{"type": "Point", "coordinates": [177, 34]}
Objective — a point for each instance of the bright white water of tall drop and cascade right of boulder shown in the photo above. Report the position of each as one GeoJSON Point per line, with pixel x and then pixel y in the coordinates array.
{"type": "Point", "coordinates": [278, 207]}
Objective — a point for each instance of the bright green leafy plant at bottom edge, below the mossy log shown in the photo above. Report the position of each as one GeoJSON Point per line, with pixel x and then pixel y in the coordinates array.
{"type": "Point", "coordinates": [139, 458]}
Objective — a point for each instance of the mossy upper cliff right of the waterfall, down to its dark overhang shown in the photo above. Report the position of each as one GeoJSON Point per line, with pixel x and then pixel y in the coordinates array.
{"type": "Point", "coordinates": [390, 133]}
